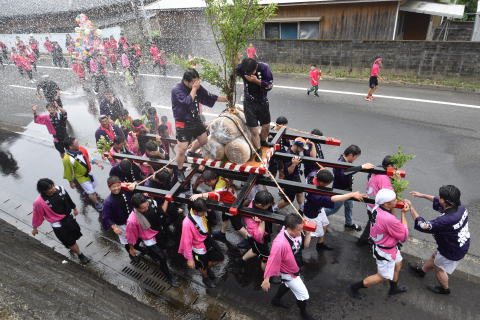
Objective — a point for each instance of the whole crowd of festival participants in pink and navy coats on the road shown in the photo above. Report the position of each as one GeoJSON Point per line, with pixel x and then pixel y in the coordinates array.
{"type": "Point", "coordinates": [149, 226]}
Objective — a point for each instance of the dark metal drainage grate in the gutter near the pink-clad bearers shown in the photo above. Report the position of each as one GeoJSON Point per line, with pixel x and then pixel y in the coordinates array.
{"type": "Point", "coordinates": [148, 276]}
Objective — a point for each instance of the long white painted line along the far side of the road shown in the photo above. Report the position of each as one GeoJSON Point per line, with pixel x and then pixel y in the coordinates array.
{"type": "Point", "coordinates": [472, 106]}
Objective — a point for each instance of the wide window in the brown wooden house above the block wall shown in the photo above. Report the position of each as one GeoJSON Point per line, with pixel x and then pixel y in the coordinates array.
{"type": "Point", "coordinates": [292, 30]}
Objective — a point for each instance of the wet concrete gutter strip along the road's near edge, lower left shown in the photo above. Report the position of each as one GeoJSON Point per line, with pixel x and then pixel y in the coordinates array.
{"type": "Point", "coordinates": [16, 211]}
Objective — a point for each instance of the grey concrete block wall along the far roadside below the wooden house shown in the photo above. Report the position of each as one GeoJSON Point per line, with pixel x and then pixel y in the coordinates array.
{"type": "Point", "coordinates": [422, 59]}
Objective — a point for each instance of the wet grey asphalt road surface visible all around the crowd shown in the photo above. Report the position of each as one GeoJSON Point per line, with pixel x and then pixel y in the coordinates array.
{"type": "Point", "coordinates": [444, 138]}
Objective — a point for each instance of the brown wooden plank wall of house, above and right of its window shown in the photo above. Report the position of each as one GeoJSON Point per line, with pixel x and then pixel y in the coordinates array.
{"type": "Point", "coordinates": [372, 21]}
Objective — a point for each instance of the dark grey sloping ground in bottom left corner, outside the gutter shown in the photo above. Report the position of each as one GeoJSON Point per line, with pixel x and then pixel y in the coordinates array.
{"type": "Point", "coordinates": [37, 285]}
